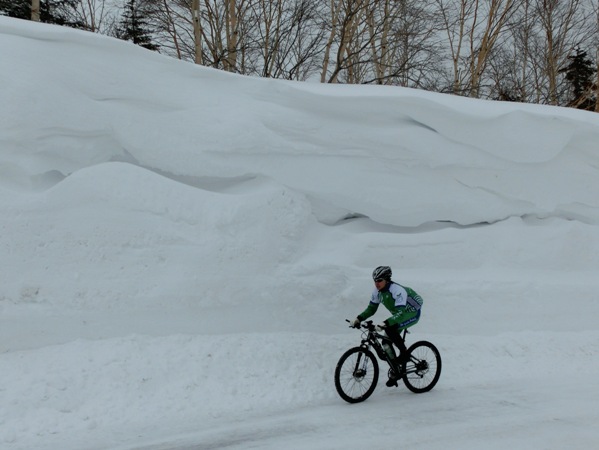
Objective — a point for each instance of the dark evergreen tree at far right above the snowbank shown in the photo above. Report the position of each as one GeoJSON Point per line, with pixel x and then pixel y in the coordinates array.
{"type": "Point", "coordinates": [580, 74]}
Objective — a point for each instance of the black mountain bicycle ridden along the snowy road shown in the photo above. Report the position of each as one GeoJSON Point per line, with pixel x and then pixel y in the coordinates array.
{"type": "Point", "coordinates": [357, 371]}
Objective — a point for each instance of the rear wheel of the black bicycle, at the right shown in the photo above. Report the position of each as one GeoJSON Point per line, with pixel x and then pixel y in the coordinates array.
{"type": "Point", "coordinates": [423, 368]}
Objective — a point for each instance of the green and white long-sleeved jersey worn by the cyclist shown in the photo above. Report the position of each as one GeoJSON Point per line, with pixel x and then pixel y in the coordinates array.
{"type": "Point", "coordinates": [402, 302]}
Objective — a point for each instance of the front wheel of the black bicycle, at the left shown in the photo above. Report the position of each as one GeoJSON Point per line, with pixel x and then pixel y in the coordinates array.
{"type": "Point", "coordinates": [356, 374]}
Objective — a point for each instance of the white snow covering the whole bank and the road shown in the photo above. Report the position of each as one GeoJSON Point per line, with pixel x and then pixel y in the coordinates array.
{"type": "Point", "coordinates": [181, 247]}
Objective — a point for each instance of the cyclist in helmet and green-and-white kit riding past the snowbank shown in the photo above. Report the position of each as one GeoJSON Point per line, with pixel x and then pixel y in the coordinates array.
{"type": "Point", "coordinates": [403, 303]}
